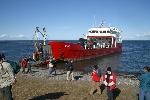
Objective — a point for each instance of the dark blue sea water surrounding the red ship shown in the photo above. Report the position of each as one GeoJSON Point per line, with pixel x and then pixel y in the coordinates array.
{"type": "Point", "coordinates": [134, 56]}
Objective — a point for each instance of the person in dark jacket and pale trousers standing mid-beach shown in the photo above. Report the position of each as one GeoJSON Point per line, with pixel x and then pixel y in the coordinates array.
{"type": "Point", "coordinates": [69, 68]}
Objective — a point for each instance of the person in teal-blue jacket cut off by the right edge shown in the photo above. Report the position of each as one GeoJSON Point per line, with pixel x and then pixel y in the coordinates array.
{"type": "Point", "coordinates": [144, 84]}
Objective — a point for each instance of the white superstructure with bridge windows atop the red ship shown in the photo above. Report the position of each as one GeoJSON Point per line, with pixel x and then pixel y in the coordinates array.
{"type": "Point", "coordinates": [104, 36]}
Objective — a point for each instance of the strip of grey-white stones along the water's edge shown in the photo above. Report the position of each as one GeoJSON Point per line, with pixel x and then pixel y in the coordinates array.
{"type": "Point", "coordinates": [126, 79]}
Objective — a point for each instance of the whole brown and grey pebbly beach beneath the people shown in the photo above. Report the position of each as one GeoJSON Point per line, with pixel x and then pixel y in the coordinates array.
{"type": "Point", "coordinates": [38, 86]}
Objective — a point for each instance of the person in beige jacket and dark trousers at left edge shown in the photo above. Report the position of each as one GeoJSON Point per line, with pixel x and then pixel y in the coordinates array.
{"type": "Point", "coordinates": [7, 79]}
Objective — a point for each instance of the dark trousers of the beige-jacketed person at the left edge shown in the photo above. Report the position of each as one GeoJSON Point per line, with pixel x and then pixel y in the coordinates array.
{"type": "Point", "coordinates": [6, 93]}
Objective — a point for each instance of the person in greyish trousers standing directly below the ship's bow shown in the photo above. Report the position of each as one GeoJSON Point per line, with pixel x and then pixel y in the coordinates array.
{"type": "Point", "coordinates": [52, 67]}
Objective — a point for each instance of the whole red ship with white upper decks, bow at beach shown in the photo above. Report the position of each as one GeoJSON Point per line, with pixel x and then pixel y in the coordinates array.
{"type": "Point", "coordinates": [97, 42]}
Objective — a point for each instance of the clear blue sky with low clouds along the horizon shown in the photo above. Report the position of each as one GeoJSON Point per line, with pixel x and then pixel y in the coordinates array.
{"type": "Point", "coordinates": [70, 19]}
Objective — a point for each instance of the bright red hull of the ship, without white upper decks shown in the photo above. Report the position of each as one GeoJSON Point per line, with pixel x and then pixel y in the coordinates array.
{"type": "Point", "coordinates": [65, 50]}
